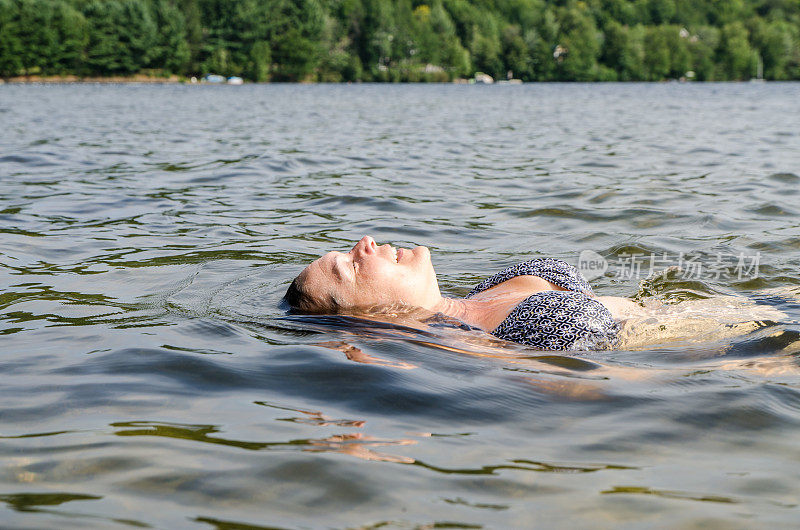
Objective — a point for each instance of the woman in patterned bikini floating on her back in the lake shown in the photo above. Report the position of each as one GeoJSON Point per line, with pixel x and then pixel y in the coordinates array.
{"type": "Point", "coordinates": [544, 303]}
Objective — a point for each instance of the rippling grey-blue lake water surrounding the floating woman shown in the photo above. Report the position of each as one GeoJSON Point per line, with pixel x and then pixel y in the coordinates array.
{"type": "Point", "coordinates": [149, 378]}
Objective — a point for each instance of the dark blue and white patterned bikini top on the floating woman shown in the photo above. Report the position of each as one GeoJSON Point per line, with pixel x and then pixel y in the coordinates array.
{"type": "Point", "coordinates": [554, 320]}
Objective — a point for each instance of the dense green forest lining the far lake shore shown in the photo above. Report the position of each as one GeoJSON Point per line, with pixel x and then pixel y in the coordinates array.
{"type": "Point", "coordinates": [403, 40]}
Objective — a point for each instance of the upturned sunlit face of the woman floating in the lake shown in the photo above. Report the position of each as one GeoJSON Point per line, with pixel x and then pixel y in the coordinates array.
{"type": "Point", "coordinates": [373, 275]}
